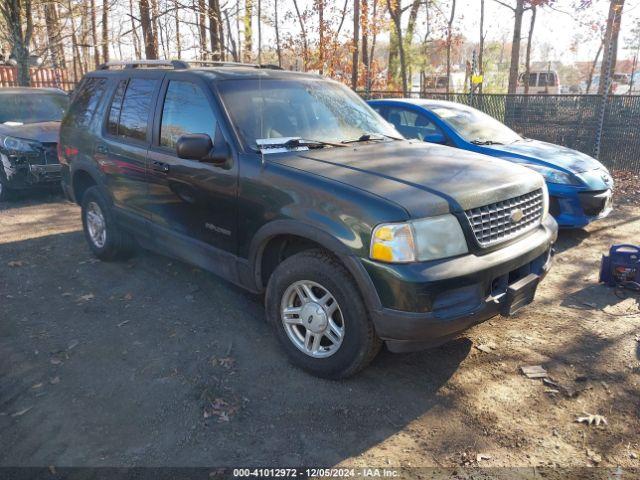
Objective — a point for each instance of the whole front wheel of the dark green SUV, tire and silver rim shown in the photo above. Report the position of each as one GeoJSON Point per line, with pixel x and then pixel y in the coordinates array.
{"type": "Point", "coordinates": [335, 355]}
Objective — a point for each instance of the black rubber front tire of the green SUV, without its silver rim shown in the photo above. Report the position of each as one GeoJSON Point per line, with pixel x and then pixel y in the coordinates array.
{"type": "Point", "coordinates": [360, 343]}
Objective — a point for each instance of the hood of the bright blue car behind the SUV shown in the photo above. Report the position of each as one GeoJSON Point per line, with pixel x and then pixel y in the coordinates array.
{"type": "Point", "coordinates": [548, 153]}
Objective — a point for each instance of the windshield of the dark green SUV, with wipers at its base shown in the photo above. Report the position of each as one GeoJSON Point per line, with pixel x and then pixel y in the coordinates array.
{"type": "Point", "coordinates": [315, 110]}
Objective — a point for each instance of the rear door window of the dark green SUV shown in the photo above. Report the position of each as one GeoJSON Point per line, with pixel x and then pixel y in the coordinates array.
{"type": "Point", "coordinates": [132, 110]}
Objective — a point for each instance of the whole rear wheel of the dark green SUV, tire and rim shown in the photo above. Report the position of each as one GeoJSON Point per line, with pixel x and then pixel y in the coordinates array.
{"type": "Point", "coordinates": [108, 241]}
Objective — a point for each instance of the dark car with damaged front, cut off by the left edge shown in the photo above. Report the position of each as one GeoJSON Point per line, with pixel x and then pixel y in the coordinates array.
{"type": "Point", "coordinates": [29, 127]}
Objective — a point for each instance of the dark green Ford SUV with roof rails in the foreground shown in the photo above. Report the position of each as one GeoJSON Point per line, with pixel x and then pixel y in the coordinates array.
{"type": "Point", "coordinates": [289, 184]}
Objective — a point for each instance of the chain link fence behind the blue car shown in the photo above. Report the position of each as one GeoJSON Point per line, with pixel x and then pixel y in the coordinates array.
{"type": "Point", "coordinates": [569, 120]}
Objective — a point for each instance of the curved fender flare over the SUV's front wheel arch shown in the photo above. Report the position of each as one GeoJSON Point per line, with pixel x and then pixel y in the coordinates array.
{"type": "Point", "coordinates": [321, 237]}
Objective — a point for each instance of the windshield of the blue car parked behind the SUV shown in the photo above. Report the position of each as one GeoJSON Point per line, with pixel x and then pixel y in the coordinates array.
{"type": "Point", "coordinates": [474, 125]}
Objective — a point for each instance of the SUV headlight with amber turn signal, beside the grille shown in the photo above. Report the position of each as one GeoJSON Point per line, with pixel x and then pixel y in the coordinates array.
{"type": "Point", "coordinates": [418, 240]}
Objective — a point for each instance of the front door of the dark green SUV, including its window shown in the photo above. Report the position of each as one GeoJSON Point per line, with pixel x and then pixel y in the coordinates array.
{"type": "Point", "coordinates": [192, 200]}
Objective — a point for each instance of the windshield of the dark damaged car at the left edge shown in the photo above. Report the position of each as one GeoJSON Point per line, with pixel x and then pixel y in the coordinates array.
{"type": "Point", "coordinates": [21, 108]}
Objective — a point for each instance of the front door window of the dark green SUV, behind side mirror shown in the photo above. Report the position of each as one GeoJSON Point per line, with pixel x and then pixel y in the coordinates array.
{"type": "Point", "coordinates": [186, 110]}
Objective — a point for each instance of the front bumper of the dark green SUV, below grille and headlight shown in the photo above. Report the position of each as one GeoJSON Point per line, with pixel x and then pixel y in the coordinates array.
{"type": "Point", "coordinates": [427, 304]}
